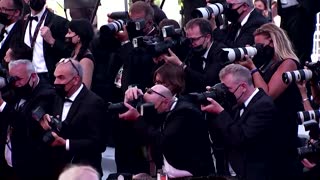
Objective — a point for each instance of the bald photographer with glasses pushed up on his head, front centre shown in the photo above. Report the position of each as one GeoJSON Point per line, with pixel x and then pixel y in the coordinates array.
{"type": "Point", "coordinates": [182, 132]}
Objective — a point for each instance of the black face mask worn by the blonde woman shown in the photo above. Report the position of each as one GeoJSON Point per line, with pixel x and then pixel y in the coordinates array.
{"type": "Point", "coordinates": [264, 55]}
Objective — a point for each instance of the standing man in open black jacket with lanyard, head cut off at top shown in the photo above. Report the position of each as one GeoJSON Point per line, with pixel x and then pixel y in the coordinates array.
{"type": "Point", "coordinates": [46, 38]}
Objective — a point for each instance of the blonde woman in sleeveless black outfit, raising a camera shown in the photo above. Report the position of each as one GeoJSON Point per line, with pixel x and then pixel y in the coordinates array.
{"type": "Point", "coordinates": [279, 58]}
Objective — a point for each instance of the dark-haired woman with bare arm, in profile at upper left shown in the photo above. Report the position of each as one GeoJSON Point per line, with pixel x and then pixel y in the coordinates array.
{"type": "Point", "coordinates": [80, 34]}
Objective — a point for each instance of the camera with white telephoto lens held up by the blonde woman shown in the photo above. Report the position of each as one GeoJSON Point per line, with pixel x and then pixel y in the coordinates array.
{"type": "Point", "coordinates": [237, 54]}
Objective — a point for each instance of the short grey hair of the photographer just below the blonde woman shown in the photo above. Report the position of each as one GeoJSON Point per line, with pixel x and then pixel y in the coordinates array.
{"type": "Point", "coordinates": [238, 72]}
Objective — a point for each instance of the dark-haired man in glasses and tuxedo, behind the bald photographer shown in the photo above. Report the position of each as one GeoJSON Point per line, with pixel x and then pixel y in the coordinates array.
{"type": "Point", "coordinates": [204, 61]}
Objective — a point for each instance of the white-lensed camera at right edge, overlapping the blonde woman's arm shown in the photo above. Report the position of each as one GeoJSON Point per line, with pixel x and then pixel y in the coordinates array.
{"type": "Point", "coordinates": [313, 71]}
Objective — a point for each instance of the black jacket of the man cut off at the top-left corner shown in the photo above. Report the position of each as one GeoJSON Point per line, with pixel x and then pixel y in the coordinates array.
{"type": "Point", "coordinates": [14, 35]}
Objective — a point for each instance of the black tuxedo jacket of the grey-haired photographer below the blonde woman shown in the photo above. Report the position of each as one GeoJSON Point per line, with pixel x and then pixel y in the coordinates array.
{"type": "Point", "coordinates": [251, 139]}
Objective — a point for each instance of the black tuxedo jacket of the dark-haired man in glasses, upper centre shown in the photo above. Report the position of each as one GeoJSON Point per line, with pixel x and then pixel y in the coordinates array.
{"type": "Point", "coordinates": [198, 78]}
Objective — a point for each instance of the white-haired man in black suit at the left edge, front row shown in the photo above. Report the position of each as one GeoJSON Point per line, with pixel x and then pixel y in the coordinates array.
{"type": "Point", "coordinates": [23, 153]}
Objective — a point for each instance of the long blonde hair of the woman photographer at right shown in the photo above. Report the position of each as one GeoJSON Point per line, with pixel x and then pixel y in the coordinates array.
{"type": "Point", "coordinates": [282, 45]}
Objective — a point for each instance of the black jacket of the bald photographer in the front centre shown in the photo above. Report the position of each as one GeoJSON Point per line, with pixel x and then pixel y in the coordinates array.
{"type": "Point", "coordinates": [183, 139]}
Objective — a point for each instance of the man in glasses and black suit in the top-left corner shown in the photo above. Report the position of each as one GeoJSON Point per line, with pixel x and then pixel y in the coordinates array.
{"type": "Point", "coordinates": [11, 12]}
